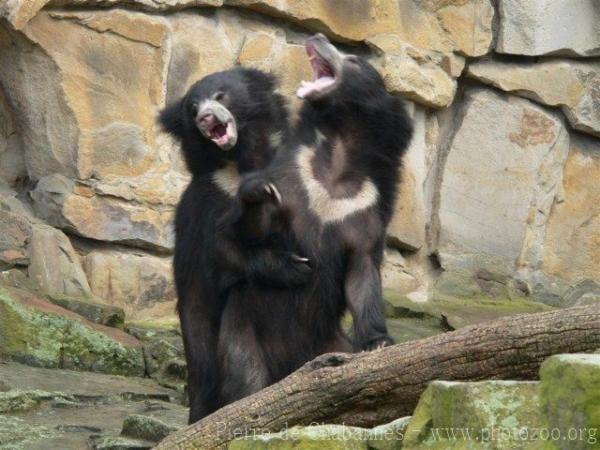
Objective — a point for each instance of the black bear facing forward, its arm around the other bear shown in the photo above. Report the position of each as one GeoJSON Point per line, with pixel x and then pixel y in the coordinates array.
{"type": "Point", "coordinates": [228, 123]}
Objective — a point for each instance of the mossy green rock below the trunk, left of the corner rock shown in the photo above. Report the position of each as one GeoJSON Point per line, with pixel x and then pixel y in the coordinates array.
{"type": "Point", "coordinates": [478, 415]}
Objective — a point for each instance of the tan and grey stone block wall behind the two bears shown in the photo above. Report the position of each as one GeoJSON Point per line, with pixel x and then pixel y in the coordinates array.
{"type": "Point", "coordinates": [499, 193]}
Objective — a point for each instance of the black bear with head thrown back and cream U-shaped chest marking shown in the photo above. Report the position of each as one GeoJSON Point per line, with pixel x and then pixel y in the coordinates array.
{"type": "Point", "coordinates": [332, 189]}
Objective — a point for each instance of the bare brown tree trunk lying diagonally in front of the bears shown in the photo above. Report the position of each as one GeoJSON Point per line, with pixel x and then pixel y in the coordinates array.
{"type": "Point", "coordinates": [366, 389]}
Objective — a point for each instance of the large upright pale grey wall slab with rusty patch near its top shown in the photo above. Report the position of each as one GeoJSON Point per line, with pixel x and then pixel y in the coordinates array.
{"type": "Point", "coordinates": [499, 182]}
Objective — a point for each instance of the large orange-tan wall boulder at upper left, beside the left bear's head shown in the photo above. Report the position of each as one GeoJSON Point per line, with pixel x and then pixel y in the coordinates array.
{"type": "Point", "coordinates": [99, 124]}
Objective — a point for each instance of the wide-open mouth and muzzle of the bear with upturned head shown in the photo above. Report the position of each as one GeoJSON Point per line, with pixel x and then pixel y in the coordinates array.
{"type": "Point", "coordinates": [324, 70]}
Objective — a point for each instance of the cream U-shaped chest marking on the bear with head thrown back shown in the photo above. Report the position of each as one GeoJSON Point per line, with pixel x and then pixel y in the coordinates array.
{"type": "Point", "coordinates": [326, 207]}
